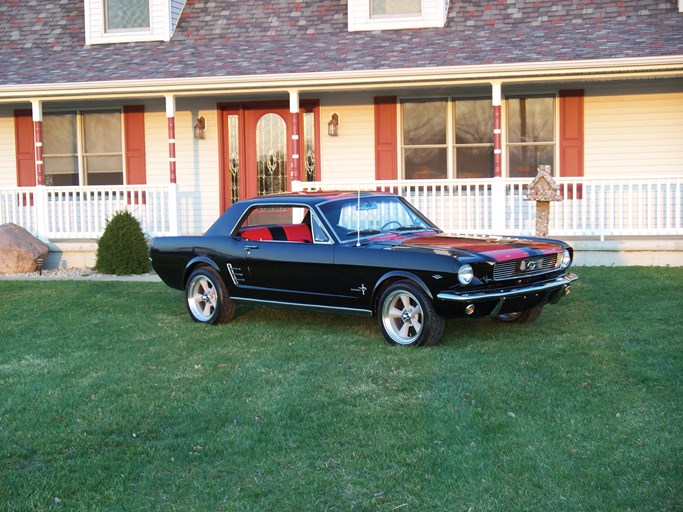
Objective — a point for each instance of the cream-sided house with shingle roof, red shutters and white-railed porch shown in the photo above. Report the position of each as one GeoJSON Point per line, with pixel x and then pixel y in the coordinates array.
{"type": "Point", "coordinates": [176, 108]}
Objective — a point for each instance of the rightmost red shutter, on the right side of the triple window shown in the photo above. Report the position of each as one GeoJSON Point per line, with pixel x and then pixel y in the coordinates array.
{"type": "Point", "coordinates": [571, 134]}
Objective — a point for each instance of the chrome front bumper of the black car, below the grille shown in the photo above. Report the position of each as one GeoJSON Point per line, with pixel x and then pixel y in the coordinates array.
{"type": "Point", "coordinates": [547, 292]}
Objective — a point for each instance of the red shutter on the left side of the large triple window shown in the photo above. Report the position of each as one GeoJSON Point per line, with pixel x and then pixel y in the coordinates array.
{"type": "Point", "coordinates": [386, 167]}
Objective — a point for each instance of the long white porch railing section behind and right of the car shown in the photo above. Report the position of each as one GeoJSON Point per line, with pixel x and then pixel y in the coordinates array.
{"type": "Point", "coordinates": [591, 206]}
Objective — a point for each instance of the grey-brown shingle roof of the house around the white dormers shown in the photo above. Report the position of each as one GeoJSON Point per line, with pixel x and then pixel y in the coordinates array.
{"type": "Point", "coordinates": [42, 41]}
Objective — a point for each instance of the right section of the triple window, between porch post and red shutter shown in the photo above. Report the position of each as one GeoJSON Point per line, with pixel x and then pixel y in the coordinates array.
{"type": "Point", "coordinates": [530, 135]}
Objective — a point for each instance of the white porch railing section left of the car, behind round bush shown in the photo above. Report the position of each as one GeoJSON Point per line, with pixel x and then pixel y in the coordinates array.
{"type": "Point", "coordinates": [82, 212]}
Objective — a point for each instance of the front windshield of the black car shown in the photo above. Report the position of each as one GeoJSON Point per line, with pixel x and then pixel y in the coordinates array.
{"type": "Point", "coordinates": [372, 215]}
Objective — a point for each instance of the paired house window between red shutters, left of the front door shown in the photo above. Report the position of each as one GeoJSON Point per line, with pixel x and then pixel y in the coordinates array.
{"type": "Point", "coordinates": [83, 148]}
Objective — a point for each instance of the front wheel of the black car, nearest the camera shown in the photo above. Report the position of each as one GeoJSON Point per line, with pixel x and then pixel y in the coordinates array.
{"type": "Point", "coordinates": [407, 317]}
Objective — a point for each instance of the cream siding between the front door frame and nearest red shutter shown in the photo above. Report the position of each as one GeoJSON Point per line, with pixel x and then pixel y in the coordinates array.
{"type": "Point", "coordinates": [351, 155]}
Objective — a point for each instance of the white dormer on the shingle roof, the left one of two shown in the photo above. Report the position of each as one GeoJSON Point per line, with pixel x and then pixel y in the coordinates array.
{"type": "Point", "coordinates": [130, 21]}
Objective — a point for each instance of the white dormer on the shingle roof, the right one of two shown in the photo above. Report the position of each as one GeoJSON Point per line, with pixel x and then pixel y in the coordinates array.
{"type": "Point", "coordinates": [396, 14]}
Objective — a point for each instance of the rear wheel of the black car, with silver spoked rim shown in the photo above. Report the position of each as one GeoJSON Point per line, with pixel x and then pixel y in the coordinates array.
{"type": "Point", "coordinates": [207, 297]}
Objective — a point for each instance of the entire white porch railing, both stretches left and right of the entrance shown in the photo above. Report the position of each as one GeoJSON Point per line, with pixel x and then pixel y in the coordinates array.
{"type": "Point", "coordinates": [597, 207]}
